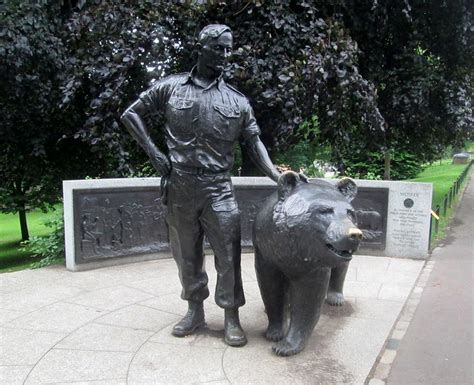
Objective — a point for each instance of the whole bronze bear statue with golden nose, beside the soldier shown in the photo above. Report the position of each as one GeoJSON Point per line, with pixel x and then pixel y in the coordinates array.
{"type": "Point", "coordinates": [304, 237]}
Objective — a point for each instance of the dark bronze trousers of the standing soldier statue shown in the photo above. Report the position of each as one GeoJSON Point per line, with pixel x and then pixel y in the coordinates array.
{"type": "Point", "coordinates": [201, 205]}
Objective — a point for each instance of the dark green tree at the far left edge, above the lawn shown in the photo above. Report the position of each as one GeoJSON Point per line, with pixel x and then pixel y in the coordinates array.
{"type": "Point", "coordinates": [35, 152]}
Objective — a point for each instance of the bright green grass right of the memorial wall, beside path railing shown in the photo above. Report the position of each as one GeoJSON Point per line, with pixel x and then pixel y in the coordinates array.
{"type": "Point", "coordinates": [442, 175]}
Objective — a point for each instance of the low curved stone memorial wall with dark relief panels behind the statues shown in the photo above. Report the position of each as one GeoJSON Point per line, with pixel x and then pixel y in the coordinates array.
{"type": "Point", "coordinates": [111, 221]}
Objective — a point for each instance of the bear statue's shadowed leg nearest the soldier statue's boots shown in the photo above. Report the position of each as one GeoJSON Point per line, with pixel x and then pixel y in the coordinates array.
{"type": "Point", "coordinates": [272, 284]}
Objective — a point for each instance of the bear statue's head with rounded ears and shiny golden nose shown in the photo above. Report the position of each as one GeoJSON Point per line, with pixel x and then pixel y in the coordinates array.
{"type": "Point", "coordinates": [319, 214]}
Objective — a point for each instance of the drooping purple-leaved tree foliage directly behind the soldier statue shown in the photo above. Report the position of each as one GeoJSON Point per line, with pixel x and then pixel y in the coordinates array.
{"type": "Point", "coordinates": [289, 61]}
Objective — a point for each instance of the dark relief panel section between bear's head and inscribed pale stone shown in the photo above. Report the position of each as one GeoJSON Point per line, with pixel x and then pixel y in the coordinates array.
{"type": "Point", "coordinates": [371, 205]}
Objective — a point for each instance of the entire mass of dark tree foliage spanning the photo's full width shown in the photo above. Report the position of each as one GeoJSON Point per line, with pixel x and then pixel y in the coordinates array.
{"type": "Point", "coordinates": [379, 76]}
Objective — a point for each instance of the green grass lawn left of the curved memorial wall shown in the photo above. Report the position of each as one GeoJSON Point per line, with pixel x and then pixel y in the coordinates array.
{"type": "Point", "coordinates": [12, 257]}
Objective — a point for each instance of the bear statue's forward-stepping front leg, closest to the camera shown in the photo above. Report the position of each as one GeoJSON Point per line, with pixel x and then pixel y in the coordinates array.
{"type": "Point", "coordinates": [306, 298]}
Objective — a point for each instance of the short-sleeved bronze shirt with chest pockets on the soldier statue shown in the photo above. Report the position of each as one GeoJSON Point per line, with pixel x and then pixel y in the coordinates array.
{"type": "Point", "coordinates": [202, 124]}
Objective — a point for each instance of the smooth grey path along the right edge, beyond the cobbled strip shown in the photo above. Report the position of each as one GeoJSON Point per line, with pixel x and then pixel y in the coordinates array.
{"type": "Point", "coordinates": [438, 345]}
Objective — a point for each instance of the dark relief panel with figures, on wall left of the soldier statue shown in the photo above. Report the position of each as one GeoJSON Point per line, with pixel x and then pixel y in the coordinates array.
{"type": "Point", "coordinates": [118, 222]}
